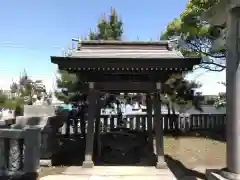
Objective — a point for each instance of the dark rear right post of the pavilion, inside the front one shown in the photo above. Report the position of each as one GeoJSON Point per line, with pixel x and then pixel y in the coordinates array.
{"type": "Point", "coordinates": [149, 122]}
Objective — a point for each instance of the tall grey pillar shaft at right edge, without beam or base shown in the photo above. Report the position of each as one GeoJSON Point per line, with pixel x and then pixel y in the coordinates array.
{"type": "Point", "coordinates": [233, 89]}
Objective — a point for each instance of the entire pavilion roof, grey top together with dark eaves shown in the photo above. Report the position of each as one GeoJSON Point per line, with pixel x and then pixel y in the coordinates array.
{"type": "Point", "coordinates": [125, 58]}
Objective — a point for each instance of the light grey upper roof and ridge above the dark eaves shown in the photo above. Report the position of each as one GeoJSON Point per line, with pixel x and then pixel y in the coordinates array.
{"type": "Point", "coordinates": [125, 49]}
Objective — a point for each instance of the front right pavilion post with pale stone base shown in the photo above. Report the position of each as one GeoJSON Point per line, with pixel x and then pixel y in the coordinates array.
{"type": "Point", "coordinates": [159, 129]}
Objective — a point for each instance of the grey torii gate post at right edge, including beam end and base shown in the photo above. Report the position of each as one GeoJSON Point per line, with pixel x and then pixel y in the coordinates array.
{"type": "Point", "coordinates": [232, 18]}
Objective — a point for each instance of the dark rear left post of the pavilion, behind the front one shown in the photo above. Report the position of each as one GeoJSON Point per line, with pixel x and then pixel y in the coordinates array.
{"type": "Point", "coordinates": [97, 127]}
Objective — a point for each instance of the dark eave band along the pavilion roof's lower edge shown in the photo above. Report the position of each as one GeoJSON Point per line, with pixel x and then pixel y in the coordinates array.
{"type": "Point", "coordinates": [159, 63]}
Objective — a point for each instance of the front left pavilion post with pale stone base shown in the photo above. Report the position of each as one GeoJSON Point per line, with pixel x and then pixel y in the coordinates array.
{"type": "Point", "coordinates": [88, 162]}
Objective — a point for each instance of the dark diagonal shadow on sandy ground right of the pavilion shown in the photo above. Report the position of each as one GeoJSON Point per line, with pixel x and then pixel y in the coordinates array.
{"type": "Point", "coordinates": [180, 171]}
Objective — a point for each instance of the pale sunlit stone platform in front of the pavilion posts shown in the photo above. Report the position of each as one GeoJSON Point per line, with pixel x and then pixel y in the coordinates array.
{"type": "Point", "coordinates": [113, 173]}
